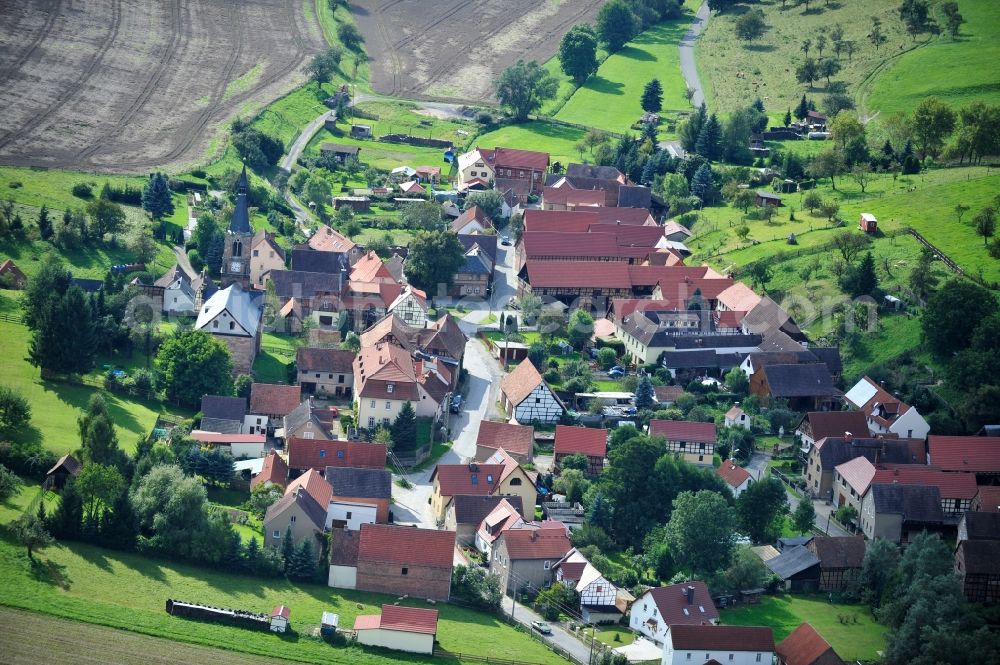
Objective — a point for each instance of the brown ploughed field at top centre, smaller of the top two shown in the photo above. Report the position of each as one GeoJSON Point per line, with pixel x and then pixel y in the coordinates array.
{"type": "Point", "coordinates": [453, 49]}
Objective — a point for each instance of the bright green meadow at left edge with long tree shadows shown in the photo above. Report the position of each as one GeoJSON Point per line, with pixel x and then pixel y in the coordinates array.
{"type": "Point", "coordinates": [55, 406]}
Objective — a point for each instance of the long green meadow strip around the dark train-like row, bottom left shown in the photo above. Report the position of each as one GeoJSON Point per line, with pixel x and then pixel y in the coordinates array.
{"type": "Point", "coordinates": [128, 591]}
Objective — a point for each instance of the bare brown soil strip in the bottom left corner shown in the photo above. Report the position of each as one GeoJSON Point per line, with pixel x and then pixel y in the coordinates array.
{"type": "Point", "coordinates": [31, 638]}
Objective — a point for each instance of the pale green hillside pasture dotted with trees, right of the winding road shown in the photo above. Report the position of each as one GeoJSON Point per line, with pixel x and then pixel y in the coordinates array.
{"type": "Point", "coordinates": [733, 73]}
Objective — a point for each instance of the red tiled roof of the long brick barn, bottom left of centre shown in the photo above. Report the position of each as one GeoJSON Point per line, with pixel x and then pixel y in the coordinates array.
{"type": "Point", "coordinates": [388, 543]}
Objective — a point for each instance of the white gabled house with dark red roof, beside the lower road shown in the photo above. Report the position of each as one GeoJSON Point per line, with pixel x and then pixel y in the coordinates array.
{"type": "Point", "coordinates": [657, 609]}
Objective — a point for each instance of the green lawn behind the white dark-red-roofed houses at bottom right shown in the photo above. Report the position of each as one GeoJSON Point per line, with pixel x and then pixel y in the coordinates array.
{"type": "Point", "coordinates": [861, 639]}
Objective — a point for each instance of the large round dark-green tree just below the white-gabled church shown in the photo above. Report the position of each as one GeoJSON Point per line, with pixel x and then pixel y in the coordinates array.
{"type": "Point", "coordinates": [192, 363]}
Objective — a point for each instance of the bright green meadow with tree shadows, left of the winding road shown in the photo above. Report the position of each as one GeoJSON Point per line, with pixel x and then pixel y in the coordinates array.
{"type": "Point", "coordinates": [610, 99]}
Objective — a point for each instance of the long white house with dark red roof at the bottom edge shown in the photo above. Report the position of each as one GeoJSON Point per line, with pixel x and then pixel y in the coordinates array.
{"type": "Point", "coordinates": [736, 645]}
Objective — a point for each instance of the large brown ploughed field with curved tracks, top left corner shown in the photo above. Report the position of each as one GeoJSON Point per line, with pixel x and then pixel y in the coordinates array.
{"type": "Point", "coordinates": [129, 86]}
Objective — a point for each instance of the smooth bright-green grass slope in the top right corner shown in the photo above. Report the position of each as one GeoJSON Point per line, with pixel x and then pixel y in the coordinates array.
{"type": "Point", "coordinates": [959, 71]}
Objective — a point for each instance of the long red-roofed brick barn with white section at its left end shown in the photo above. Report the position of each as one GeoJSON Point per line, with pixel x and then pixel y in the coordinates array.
{"type": "Point", "coordinates": [383, 558]}
